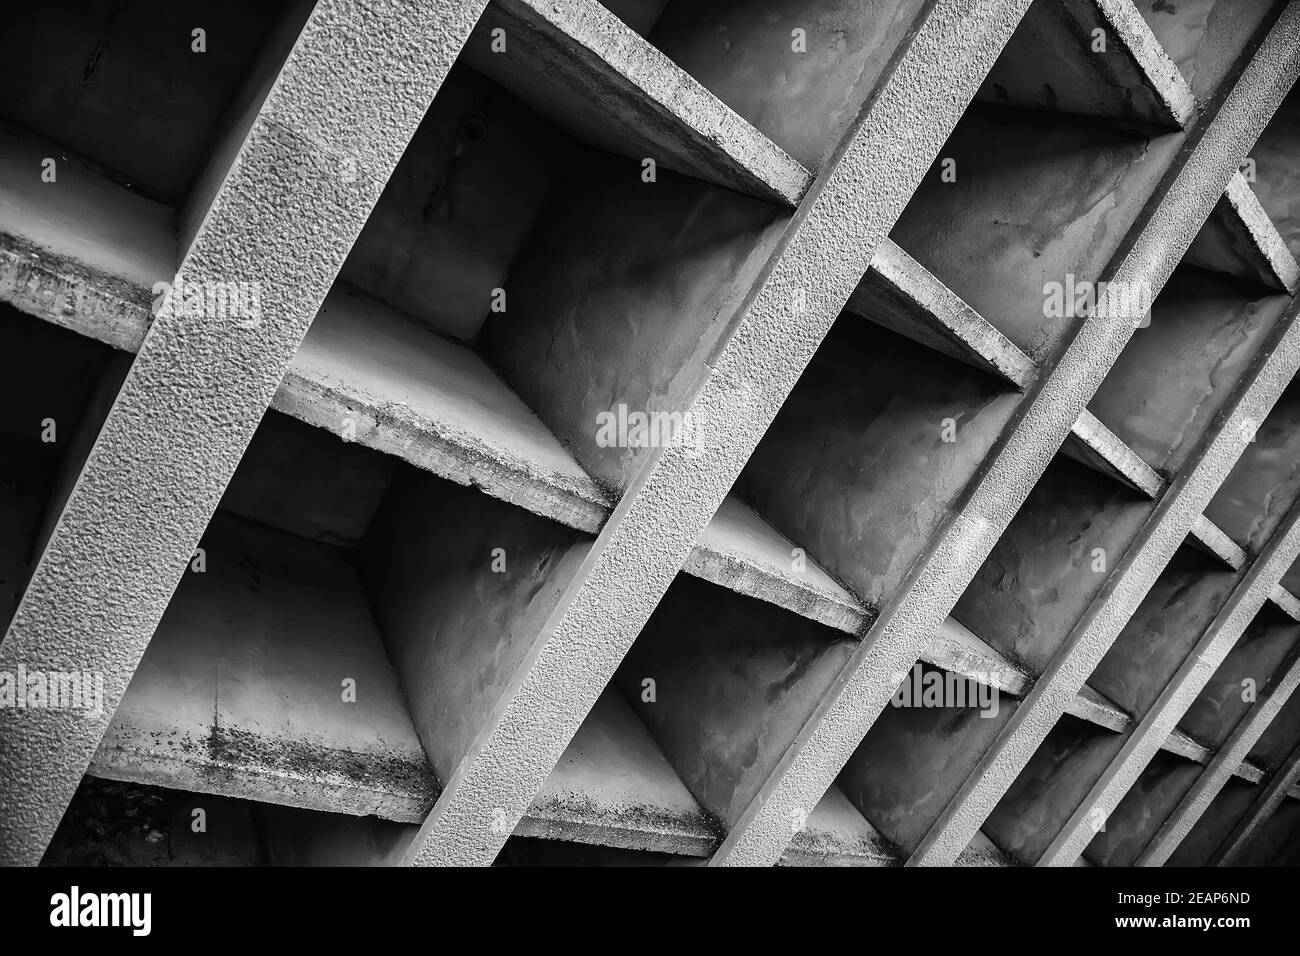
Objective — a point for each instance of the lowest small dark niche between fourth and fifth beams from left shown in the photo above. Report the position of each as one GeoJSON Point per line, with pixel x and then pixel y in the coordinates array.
{"type": "Point", "coordinates": [1050, 789]}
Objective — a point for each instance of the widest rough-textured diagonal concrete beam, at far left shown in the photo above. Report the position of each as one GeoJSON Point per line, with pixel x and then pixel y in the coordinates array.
{"type": "Point", "coordinates": [279, 210]}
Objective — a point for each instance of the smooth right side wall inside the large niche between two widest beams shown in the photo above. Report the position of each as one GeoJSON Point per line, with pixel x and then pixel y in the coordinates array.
{"type": "Point", "coordinates": [605, 321]}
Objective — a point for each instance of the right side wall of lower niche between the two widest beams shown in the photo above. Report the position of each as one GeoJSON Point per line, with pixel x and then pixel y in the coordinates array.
{"type": "Point", "coordinates": [460, 585]}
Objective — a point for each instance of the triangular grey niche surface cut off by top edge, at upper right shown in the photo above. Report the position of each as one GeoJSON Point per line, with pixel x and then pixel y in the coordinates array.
{"type": "Point", "coordinates": [1208, 38]}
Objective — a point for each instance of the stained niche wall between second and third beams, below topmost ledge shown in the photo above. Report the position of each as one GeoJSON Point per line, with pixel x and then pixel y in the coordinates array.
{"type": "Point", "coordinates": [1000, 232]}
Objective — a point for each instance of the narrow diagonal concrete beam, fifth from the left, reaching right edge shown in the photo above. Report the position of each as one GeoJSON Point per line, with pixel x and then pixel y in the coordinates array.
{"type": "Point", "coordinates": [1245, 603]}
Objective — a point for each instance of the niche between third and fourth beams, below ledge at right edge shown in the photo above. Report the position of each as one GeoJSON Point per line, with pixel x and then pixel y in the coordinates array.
{"type": "Point", "coordinates": [1181, 370]}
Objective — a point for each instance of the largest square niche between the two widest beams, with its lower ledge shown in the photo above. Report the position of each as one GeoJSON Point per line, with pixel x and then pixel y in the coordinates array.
{"type": "Point", "coordinates": [557, 283]}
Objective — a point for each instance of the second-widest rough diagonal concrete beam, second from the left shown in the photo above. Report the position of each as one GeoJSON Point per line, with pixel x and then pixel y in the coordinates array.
{"type": "Point", "coordinates": [825, 254]}
